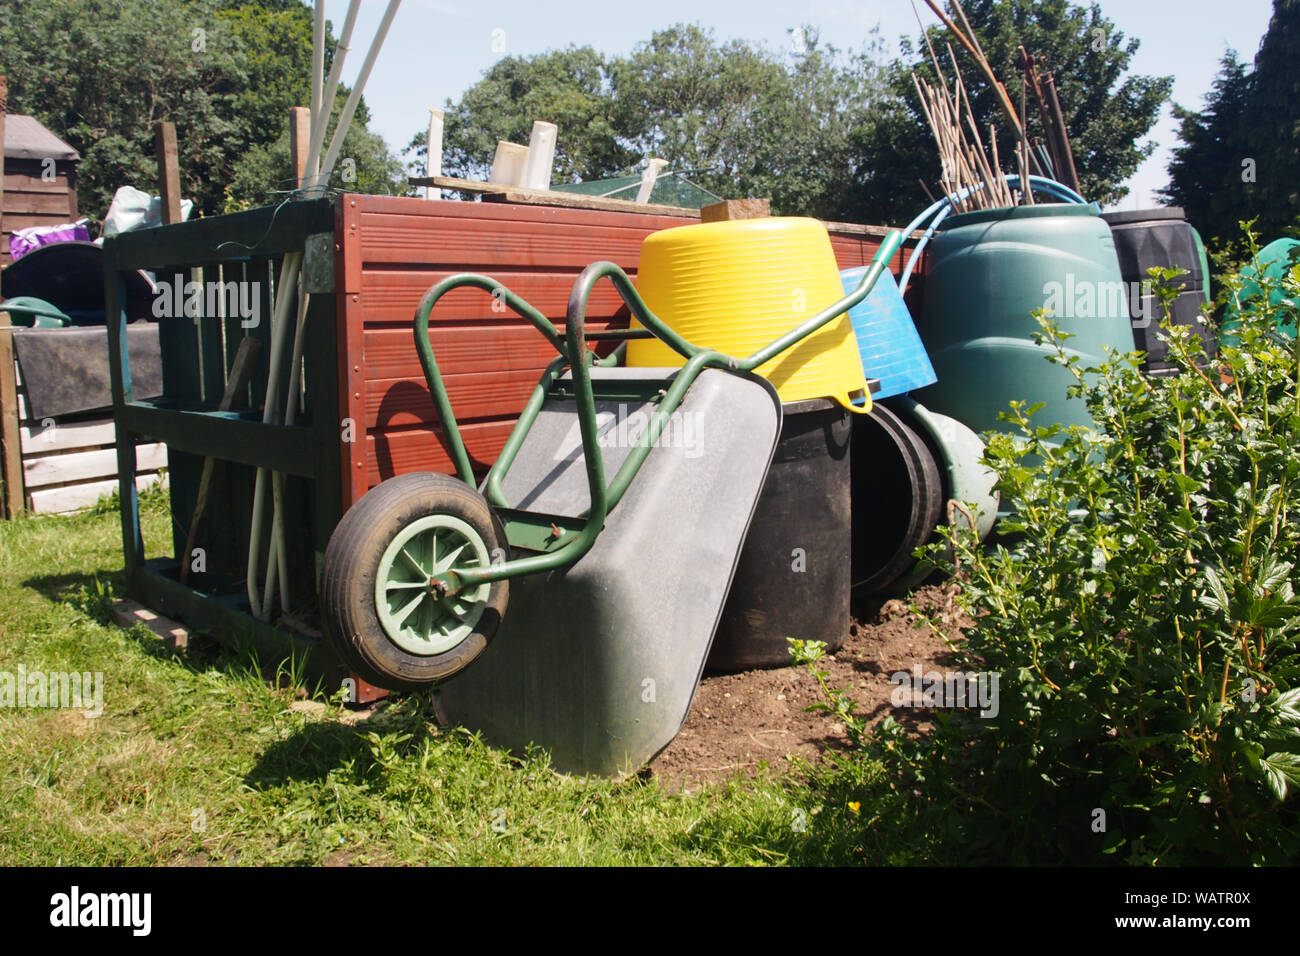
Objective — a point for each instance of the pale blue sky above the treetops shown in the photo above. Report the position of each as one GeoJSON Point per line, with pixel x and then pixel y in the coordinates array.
{"type": "Point", "coordinates": [437, 49]}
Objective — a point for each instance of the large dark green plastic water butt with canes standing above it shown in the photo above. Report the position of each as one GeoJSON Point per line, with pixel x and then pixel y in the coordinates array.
{"type": "Point", "coordinates": [987, 274]}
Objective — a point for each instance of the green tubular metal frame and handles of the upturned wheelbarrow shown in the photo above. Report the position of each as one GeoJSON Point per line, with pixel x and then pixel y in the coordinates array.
{"type": "Point", "coordinates": [556, 540]}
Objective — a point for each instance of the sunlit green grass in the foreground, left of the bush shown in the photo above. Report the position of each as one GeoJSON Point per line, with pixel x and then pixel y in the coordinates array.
{"type": "Point", "coordinates": [197, 759]}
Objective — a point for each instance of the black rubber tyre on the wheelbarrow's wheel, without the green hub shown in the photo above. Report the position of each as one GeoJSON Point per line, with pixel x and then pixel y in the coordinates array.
{"type": "Point", "coordinates": [353, 561]}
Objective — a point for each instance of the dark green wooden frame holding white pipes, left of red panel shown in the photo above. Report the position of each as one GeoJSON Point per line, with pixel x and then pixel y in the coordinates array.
{"type": "Point", "coordinates": [189, 422]}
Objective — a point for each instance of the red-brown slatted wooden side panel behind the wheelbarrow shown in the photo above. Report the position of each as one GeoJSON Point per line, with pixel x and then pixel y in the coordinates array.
{"type": "Point", "coordinates": [395, 249]}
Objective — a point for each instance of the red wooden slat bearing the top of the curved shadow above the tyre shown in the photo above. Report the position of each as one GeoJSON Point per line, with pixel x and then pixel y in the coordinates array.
{"type": "Point", "coordinates": [401, 403]}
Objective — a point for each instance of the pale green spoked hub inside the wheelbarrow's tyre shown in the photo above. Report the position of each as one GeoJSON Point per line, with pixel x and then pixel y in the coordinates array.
{"type": "Point", "coordinates": [414, 615]}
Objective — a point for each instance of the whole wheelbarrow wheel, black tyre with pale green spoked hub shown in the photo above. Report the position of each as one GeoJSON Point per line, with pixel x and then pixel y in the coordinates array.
{"type": "Point", "coordinates": [380, 615]}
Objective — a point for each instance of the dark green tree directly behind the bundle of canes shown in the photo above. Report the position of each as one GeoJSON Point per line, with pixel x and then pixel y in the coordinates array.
{"type": "Point", "coordinates": [1107, 113]}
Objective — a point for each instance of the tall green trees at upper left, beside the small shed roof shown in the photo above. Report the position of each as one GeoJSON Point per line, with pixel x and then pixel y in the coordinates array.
{"type": "Point", "coordinates": [101, 73]}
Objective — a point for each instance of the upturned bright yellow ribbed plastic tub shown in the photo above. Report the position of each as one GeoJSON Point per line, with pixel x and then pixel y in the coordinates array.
{"type": "Point", "coordinates": [738, 287]}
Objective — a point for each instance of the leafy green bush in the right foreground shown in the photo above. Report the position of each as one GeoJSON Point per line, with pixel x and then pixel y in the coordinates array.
{"type": "Point", "coordinates": [1141, 611]}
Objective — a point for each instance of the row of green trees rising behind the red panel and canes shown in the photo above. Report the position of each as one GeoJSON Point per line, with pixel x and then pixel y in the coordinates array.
{"type": "Point", "coordinates": [821, 131]}
